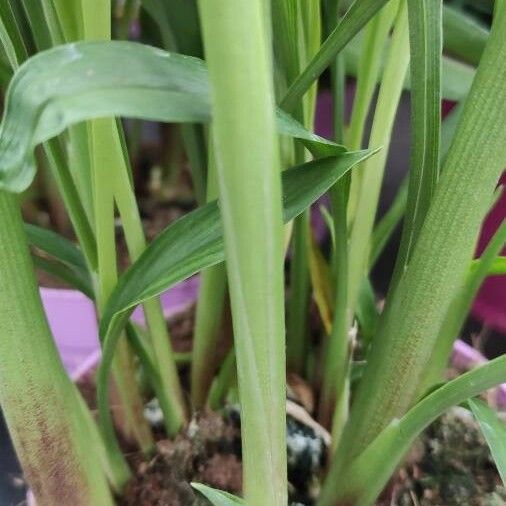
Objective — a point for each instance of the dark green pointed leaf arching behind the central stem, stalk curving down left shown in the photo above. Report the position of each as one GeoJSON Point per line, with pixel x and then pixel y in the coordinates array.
{"type": "Point", "coordinates": [193, 243]}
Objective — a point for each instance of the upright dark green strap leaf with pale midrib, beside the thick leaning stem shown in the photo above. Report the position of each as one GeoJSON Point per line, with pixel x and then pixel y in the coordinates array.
{"type": "Point", "coordinates": [426, 44]}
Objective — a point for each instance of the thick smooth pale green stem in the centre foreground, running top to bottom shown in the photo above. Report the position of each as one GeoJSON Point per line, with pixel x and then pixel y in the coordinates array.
{"type": "Point", "coordinates": [237, 45]}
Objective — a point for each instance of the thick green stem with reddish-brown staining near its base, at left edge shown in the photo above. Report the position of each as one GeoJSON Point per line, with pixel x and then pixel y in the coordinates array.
{"type": "Point", "coordinates": [52, 438]}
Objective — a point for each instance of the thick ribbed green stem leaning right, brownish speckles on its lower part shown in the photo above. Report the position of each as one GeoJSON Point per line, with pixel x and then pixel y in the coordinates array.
{"type": "Point", "coordinates": [416, 310]}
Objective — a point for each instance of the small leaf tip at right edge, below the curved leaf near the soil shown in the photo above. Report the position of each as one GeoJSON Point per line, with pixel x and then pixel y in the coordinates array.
{"type": "Point", "coordinates": [494, 430]}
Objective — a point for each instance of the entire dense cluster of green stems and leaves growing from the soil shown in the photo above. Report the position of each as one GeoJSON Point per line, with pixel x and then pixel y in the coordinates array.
{"type": "Point", "coordinates": [245, 117]}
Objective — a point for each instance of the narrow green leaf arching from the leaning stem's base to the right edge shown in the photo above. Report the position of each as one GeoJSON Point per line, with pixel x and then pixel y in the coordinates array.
{"type": "Point", "coordinates": [361, 481]}
